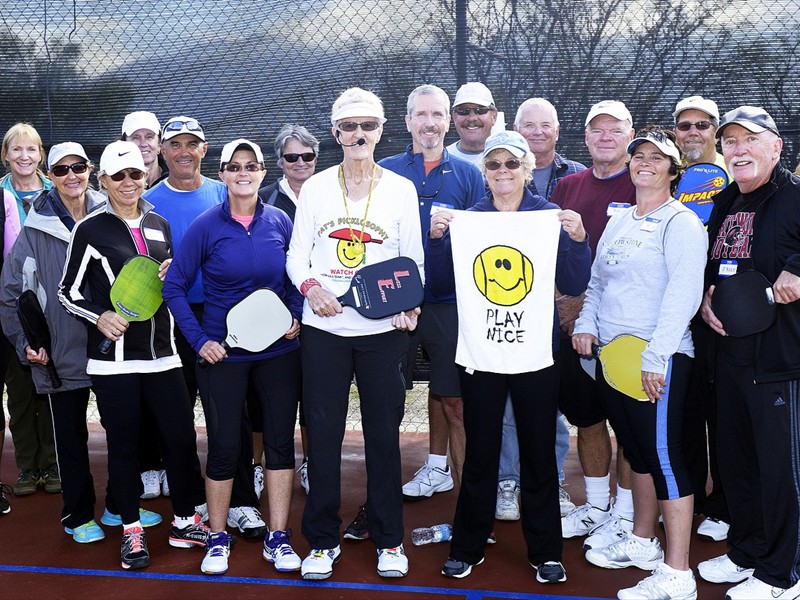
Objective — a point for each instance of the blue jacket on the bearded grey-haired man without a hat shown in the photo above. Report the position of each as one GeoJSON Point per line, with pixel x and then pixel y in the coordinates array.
{"type": "Point", "coordinates": [454, 183]}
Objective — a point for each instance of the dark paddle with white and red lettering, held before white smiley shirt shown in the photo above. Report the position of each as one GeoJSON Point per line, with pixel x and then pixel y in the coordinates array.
{"type": "Point", "coordinates": [385, 288]}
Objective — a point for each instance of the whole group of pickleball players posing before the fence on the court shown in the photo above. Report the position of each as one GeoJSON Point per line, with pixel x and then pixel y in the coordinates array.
{"type": "Point", "coordinates": [629, 259]}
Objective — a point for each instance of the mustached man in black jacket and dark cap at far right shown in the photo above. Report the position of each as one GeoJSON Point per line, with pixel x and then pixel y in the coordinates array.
{"type": "Point", "coordinates": [755, 225]}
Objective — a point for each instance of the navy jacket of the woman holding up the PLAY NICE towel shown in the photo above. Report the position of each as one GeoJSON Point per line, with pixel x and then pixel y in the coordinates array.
{"type": "Point", "coordinates": [573, 263]}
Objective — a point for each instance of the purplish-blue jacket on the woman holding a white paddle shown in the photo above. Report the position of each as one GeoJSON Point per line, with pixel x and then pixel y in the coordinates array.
{"type": "Point", "coordinates": [233, 262]}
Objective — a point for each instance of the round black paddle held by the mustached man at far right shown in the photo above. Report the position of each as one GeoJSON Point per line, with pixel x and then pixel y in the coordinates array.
{"type": "Point", "coordinates": [744, 303]}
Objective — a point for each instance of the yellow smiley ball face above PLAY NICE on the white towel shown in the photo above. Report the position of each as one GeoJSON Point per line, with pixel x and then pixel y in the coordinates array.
{"type": "Point", "coordinates": [503, 275]}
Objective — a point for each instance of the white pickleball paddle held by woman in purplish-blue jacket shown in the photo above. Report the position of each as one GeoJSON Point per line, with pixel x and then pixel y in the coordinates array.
{"type": "Point", "coordinates": [255, 322]}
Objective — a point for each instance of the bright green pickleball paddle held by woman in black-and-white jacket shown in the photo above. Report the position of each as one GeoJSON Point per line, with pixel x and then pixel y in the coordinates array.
{"type": "Point", "coordinates": [136, 292]}
